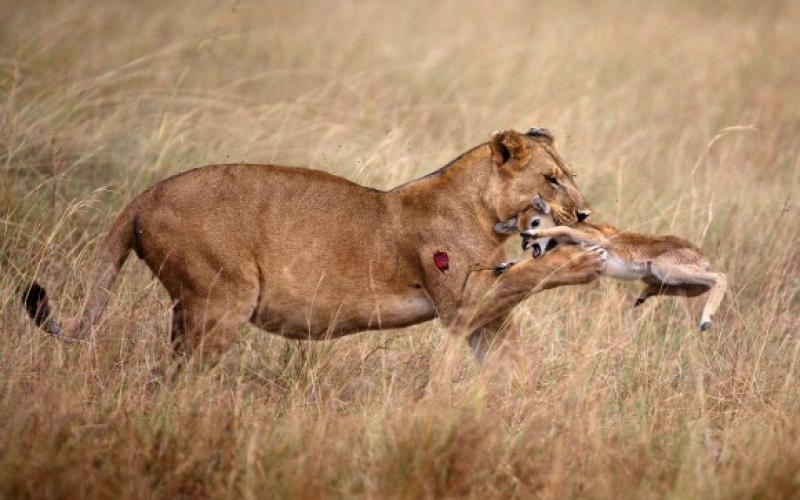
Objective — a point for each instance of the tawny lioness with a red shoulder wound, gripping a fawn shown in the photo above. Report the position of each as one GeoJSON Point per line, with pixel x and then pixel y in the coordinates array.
{"type": "Point", "coordinates": [309, 255]}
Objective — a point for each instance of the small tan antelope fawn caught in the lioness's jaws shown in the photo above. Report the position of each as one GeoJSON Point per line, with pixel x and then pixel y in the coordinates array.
{"type": "Point", "coordinates": [669, 265]}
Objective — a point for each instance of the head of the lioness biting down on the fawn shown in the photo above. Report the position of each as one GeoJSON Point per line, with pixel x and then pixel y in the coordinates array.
{"type": "Point", "coordinates": [526, 165]}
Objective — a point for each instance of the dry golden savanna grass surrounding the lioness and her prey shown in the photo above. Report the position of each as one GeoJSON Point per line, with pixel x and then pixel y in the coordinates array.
{"type": "Point", "coordinates": [680, 117]}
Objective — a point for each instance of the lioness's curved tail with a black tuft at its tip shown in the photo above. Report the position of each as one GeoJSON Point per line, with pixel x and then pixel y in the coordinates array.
{"type": "Point", "coordinates": [112, 255]}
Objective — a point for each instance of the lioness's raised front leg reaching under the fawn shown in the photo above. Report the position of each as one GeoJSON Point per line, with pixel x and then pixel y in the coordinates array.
{"type": "Point", "coordinates": [487, 297]}
